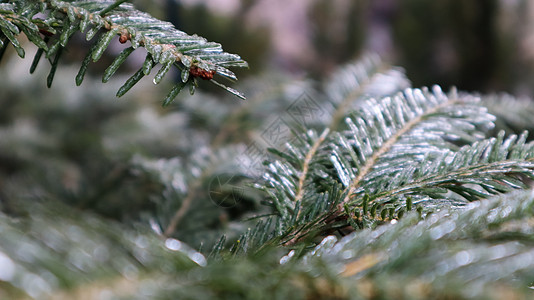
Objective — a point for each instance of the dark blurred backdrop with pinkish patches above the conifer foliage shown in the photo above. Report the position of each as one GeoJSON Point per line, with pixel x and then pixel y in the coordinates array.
{"type": "Point", "coordinates": [475, 45]}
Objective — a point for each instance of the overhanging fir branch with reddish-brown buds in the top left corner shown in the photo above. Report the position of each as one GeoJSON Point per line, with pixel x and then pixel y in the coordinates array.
{"type": "Point", "coordinates": [193, 56]}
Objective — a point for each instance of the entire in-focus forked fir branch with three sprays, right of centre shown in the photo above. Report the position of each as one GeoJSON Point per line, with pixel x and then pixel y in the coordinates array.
{"type": "Point", "coordinates": [416, 150]}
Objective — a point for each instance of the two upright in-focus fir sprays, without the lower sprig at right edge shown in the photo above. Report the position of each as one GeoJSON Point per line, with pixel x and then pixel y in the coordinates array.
{"type": "Point", "coordinates": [386, 140]}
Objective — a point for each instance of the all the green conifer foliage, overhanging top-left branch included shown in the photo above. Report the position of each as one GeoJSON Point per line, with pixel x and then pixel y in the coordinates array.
{"type": "Point", "coordinates": [387, 192]}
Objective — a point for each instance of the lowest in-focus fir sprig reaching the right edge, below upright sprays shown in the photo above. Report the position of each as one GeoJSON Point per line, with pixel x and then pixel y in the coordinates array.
{"type": "Point", "coordinates": [495, 164]}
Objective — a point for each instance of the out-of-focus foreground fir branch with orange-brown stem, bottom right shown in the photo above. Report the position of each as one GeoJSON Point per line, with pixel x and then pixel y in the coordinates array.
{"type": "Point", "coordinates": [451, 251]}
